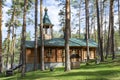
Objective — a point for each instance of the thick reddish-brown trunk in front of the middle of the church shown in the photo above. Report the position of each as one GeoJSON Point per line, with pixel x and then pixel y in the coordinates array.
{"type": "Point", "coordinates": [67, 31]}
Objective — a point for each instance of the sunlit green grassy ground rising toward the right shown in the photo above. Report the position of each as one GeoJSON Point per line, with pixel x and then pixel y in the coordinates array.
{"type": "Point", "coordinates": [108, 70]}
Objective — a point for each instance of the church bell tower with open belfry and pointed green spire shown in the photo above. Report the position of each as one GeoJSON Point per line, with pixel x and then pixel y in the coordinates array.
{"type": "Point", "coordinates": [47, 26]}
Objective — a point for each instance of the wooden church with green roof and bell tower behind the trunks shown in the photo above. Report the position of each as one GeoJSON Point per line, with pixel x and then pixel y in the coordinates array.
{"type": "Point", "coordinates": [54, 51]}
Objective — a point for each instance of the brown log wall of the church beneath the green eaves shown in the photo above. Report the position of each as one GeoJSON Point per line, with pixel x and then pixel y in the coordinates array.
{"type": "Point", "coordinates": [57, 54]}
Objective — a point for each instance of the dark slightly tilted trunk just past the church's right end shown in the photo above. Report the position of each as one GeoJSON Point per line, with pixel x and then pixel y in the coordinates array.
{"type": "Point", "coordinates": [99, 33]}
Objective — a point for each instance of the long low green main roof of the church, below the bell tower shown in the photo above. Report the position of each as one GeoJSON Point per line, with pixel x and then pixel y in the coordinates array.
{"type": "Point", "coordinates": [60, 42]}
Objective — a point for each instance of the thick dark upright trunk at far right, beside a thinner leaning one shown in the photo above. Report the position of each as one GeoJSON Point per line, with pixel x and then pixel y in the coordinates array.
{"type": "Point", "coordinates": [112, 28]}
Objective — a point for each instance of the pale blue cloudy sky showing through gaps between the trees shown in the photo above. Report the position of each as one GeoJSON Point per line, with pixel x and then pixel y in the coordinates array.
{"type": "Point", "coordinates": [53, 10]}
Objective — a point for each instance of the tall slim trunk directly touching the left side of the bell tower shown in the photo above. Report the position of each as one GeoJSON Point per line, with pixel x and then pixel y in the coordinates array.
{"type": "Point", "coordinates": [42, 39]}
